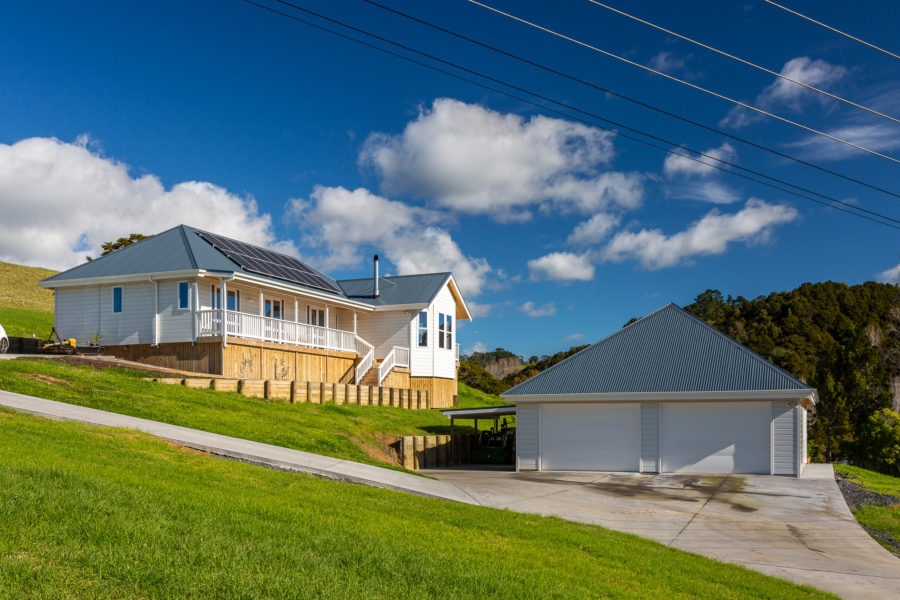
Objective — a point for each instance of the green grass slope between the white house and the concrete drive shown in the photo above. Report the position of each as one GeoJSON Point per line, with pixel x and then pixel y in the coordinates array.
{"type": "Point", "coordinates": [353, 432]}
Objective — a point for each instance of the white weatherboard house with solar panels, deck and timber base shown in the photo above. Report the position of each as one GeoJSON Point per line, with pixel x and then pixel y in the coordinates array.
{"type": "Point", "coordinates": [197, 301]}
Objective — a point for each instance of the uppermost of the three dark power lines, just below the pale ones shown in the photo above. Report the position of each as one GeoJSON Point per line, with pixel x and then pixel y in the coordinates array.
{"type": "Point", "coordinates": [631, 100]}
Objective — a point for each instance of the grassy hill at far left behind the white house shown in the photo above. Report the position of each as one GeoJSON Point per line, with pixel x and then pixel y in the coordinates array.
{"type": "Point", "coordinates": [25, 308]}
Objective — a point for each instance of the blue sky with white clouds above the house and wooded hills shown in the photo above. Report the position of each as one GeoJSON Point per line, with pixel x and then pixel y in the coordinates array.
{"type": "Point", "coordinates": [117, 118]}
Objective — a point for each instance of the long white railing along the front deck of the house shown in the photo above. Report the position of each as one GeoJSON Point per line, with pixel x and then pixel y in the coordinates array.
{"type": "Point", "coordinates": [267, 329]}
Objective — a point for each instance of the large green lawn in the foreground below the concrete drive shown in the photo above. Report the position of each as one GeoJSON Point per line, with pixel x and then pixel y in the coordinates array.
{"type": "Point", "coordinates": [88, 512]}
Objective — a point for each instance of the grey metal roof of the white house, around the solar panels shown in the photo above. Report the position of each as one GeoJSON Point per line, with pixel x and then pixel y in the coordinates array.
{"type": "Point", "coordinates": [181, 249]}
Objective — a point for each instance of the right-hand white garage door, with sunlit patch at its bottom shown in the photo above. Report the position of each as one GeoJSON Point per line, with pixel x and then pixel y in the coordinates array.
{"type": "Point", "coordinates": [715, 437]}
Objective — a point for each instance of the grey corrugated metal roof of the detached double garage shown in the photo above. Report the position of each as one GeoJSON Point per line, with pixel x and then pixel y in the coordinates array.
{"type": "Point", "coordinates": [669, 350]}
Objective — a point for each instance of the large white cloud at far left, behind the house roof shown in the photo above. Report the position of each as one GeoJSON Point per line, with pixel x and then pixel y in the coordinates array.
{"type": "Point", "coordinates": [60, 201]}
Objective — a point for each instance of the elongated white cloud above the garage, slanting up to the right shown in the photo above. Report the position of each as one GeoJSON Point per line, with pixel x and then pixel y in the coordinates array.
{"type": "Point", "coordinates": [710, 235]}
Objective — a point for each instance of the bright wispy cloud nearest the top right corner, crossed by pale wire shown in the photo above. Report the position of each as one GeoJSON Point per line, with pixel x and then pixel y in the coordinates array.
{"type": "Point", "coordinates": [787, 94]}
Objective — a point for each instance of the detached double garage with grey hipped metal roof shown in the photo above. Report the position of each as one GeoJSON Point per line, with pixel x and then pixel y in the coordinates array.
{"type": "Point", "coordinates": [666, 394]}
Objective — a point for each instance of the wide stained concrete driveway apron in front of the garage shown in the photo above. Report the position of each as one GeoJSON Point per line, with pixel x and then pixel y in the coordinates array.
{"type": "Point", "coordinates": [798, 529]}
